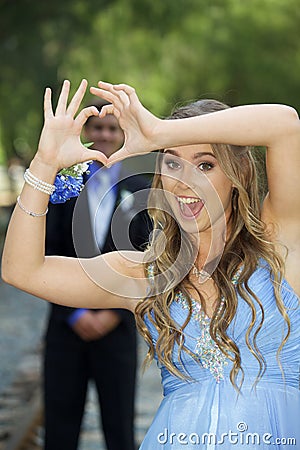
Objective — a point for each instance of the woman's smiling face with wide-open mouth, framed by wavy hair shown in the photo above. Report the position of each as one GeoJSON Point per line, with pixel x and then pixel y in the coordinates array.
{"type": "Point", "coordinates": [197, 190]}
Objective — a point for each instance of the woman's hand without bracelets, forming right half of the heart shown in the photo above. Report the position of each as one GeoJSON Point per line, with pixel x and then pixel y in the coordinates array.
{"type": "Point", "coordinates": [138, 124]}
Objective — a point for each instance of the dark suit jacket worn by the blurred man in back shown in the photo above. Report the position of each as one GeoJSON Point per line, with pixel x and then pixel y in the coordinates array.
{"type": "Point", "coordinates": [69, 233]}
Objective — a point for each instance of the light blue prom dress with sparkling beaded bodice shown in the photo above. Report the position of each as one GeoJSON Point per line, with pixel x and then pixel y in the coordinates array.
{"type": "Point", "coordinates": [206, 412]}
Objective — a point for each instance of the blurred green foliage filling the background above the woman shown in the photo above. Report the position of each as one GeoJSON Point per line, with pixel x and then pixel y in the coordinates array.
{"type": "Point", "coordinates": [171, 51]}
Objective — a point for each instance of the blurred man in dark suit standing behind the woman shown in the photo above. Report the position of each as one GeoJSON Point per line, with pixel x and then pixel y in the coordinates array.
{"type": "Point", "coordinates": [99, 345]}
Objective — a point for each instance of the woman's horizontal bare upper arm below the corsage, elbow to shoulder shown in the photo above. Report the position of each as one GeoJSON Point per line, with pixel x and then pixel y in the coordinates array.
{"type": "Point", "coordinates": [114, 280]}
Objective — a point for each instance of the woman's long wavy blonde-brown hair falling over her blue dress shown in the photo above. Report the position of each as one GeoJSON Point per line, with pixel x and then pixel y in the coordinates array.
{"type": "Point", "coordinates": [247, 244]}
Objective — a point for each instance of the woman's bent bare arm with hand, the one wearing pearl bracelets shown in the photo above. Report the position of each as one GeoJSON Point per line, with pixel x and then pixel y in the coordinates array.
{"type": "Point", "coordinates": [58, 279]}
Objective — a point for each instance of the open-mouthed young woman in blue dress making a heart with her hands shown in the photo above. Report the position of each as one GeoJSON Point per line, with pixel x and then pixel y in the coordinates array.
{"type": "Point", "coordinates": [216, 293]}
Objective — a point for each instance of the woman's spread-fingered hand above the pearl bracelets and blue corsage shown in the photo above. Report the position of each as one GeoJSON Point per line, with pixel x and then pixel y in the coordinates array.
{"type": "Point", "coordinates": [60, 145]}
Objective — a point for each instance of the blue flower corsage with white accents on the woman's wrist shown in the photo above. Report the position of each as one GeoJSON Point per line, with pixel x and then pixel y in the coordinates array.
{"type": "Point", "coordinates": [69, 182]}
